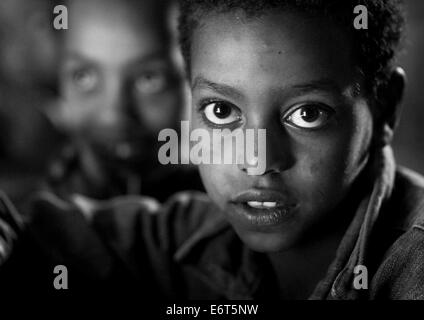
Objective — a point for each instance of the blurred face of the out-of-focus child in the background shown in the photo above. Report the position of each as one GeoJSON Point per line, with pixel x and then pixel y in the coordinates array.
{"type": "Point", "coordinates": [121, 79]}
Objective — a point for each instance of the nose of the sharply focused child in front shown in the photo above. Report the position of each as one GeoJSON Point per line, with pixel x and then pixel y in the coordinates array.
{"type": "Point", "coordinates": [276, 157]}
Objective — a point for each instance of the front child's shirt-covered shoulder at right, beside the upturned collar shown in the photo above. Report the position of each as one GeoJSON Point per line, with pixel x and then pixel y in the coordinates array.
{"type": "Point", "coordinates": [401, 273]}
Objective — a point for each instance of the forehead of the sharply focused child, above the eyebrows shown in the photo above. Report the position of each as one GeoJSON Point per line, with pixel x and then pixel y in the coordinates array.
{"type": "Point", "coordinates": [270, 50]}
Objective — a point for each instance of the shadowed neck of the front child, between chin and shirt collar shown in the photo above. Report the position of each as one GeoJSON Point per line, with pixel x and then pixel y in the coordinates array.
{"type": "Point", "coordinates": [300, 268]}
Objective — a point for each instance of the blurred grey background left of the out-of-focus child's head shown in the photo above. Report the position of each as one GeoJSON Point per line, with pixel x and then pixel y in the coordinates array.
{"type": "Point", "coordinates": [27, 86]}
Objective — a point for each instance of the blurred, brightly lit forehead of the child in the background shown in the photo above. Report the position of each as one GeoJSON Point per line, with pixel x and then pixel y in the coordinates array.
{"type": "Point", "coordinates": [115, 30]}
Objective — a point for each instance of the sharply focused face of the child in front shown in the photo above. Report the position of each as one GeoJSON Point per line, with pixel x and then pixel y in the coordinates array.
{"type": "Point", "coordinates": [291, 75]}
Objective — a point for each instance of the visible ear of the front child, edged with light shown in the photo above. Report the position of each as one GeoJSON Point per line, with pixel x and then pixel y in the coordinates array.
{"type": "Point", "coordinates": [389, 97]}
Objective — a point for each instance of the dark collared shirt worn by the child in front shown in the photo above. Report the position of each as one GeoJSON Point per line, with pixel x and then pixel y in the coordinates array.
{"type": "Point", "coordinates": [186, 250]}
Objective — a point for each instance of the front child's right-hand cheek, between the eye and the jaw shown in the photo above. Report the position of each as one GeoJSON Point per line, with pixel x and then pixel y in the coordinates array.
{"type": "Point", "coordinates": [329, 165]}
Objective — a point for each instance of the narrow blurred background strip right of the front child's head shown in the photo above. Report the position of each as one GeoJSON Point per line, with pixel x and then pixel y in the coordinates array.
{"type": "Point", "coordinates": [409, 139]}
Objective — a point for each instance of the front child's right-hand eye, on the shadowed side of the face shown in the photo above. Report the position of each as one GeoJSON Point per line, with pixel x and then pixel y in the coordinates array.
{"type": "Point", "coordinates": [309, 116]}
